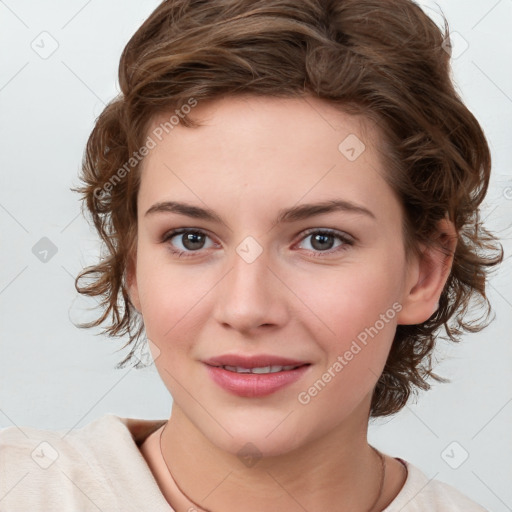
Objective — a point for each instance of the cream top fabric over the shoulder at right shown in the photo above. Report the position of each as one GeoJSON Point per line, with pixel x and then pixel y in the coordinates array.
{"type": "Point", "coordinates": [423, 494]}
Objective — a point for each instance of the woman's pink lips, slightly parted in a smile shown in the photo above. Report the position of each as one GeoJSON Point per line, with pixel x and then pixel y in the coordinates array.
{"type": "Point", "coordinates": [254, 376]}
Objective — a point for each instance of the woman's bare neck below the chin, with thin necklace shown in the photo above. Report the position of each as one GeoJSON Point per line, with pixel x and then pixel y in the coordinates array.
{"type": "Point", "coordinates": [338, 471]}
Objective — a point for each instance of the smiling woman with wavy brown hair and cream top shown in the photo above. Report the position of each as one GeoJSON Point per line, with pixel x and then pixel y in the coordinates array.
{"type": "Point", "coordinates": [288, 193]}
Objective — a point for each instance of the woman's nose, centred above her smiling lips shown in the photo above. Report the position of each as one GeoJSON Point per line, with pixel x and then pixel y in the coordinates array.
{"type": "Point", "coordinates": [251, 296]}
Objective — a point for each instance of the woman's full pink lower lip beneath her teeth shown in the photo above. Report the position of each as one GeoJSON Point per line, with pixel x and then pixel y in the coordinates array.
{"type": "Point", "coordinates": [254, 384]}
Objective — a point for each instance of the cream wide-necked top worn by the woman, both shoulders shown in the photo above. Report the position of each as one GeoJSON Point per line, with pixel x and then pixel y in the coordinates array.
{"type": "Point", "coordinates": [99, 467]}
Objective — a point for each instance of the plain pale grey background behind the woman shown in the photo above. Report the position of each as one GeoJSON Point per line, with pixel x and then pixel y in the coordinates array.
{"type": "Point", "coordinates": [53, 375]}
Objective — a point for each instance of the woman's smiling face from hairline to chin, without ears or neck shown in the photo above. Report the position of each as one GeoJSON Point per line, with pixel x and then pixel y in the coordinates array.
{"type": "Point", "coordinates": [235, 267]}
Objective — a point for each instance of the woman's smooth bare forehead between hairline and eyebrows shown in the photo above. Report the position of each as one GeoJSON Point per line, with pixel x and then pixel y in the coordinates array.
{"type": "Point", "coordinates": [250, 149]}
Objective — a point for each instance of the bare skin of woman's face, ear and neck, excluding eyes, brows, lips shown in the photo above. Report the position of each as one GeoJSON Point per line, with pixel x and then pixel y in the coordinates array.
{"type": "Point", "coordinates": [251, 158]}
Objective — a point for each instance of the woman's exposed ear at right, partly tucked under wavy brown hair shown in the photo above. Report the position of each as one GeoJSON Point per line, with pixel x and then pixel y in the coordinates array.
{"type": "Point", "coordinates": [426, 276]}
